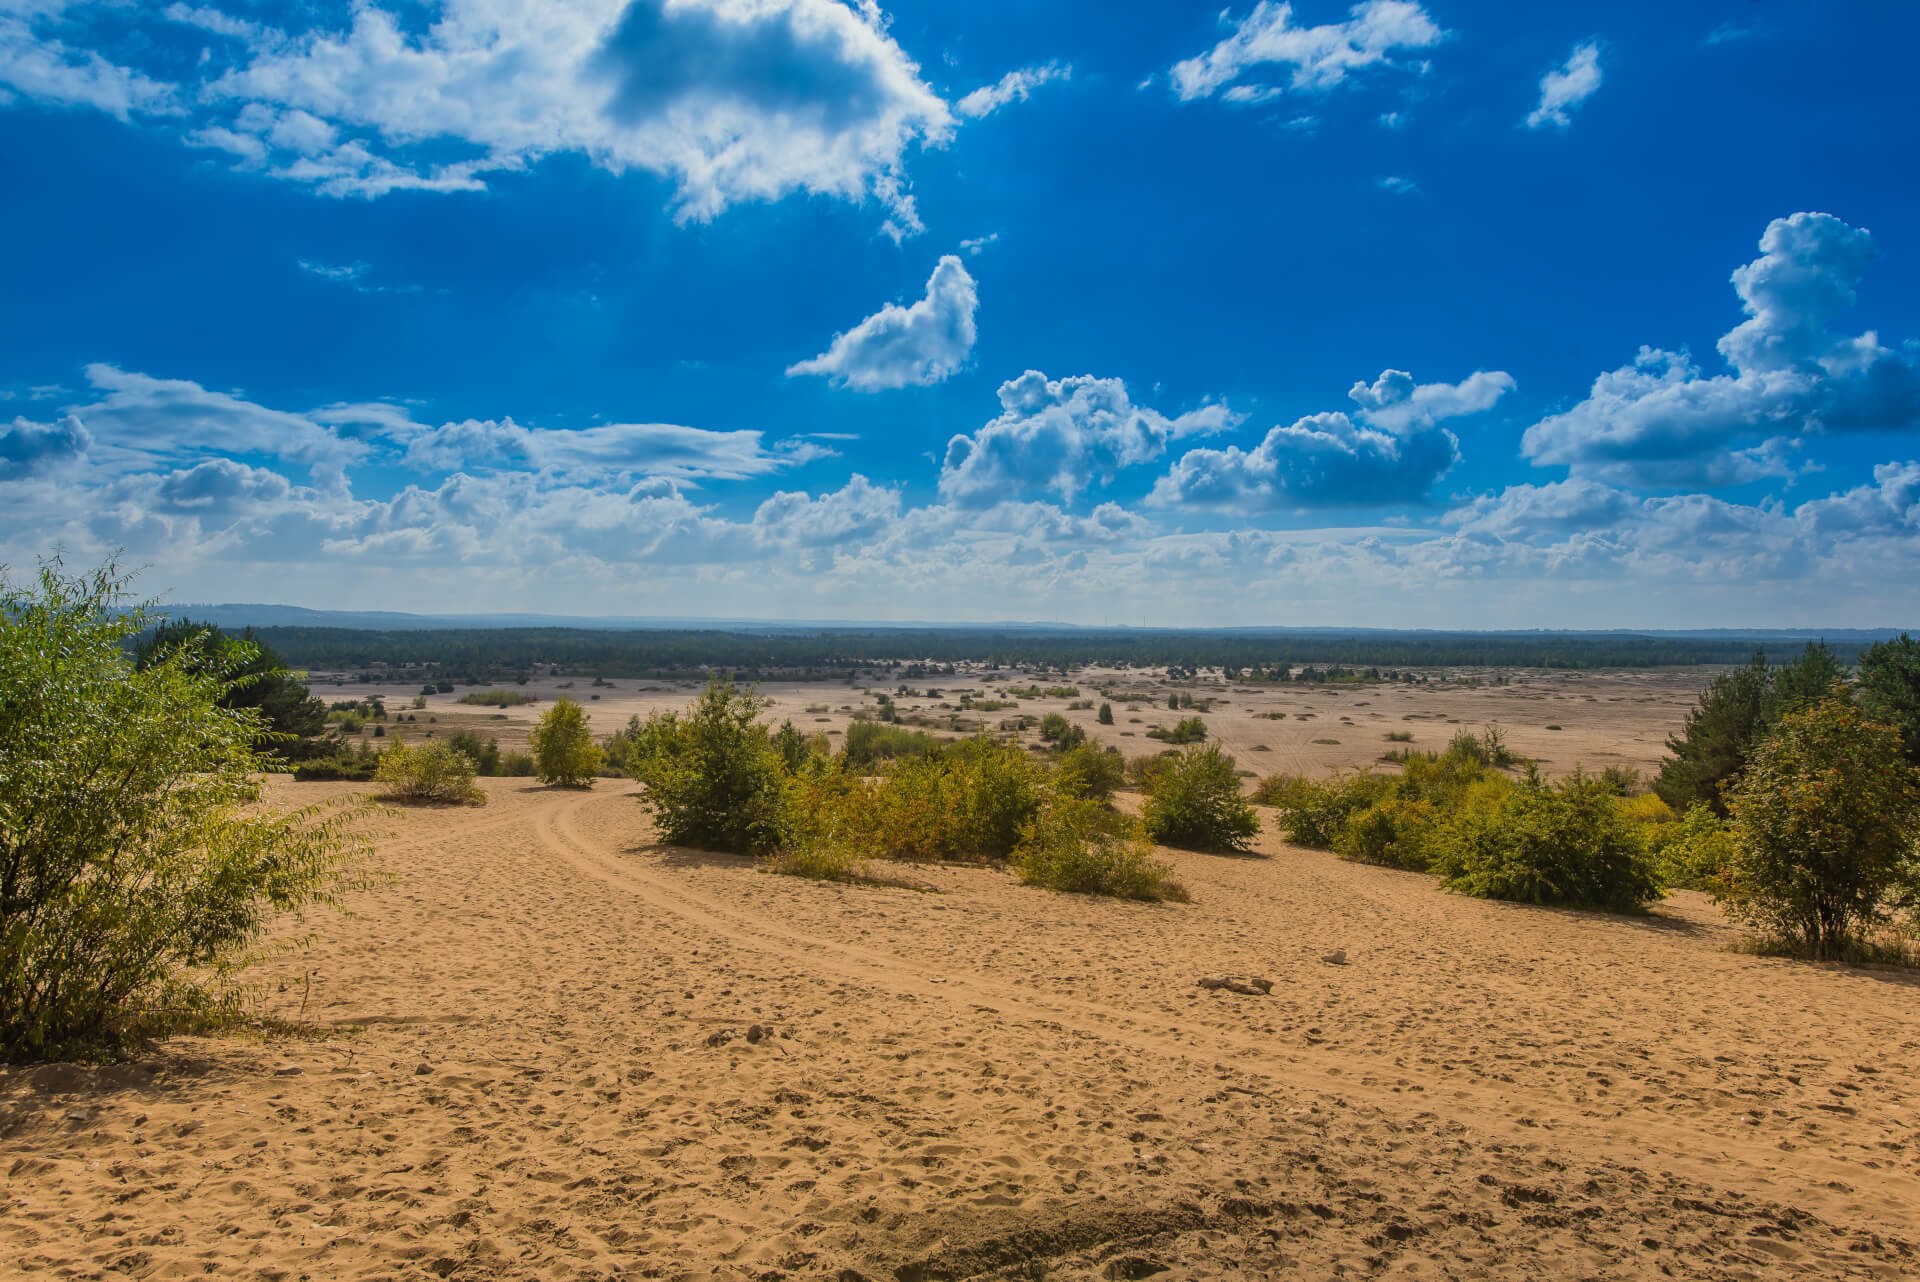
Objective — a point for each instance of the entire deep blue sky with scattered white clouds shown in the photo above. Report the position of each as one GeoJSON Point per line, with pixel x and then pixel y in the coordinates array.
{"type": "Point", "coordinates": [1408, 314]}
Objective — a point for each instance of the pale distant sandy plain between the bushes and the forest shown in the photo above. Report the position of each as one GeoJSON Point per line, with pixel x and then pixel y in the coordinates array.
{"type": "Point", "coordinates": [1598, 719]}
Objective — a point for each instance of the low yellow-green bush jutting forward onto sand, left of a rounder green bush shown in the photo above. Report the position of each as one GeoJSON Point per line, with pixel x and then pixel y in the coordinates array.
{"type": "Point", "coordinates": [1082, 847]}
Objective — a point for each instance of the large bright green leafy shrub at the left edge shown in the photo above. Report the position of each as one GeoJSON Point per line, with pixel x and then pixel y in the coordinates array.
{"type": "Point", "coordinates": [137, 868]}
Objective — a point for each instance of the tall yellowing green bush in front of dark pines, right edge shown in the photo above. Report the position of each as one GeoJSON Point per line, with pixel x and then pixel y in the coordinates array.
{"type": "Point", "coordinates": [1825, 828]}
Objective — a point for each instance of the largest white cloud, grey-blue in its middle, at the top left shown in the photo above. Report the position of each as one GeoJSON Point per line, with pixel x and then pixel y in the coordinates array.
{"type": "Point", "coordinates": [731, 101]}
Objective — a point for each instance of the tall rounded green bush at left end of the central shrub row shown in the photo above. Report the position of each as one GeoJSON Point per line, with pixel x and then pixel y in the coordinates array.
{"type": "Point", "coordinates": [711, 776]}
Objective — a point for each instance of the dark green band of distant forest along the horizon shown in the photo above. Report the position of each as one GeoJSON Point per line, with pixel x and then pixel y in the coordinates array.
{"type": "Point", "coordinates": [492, 653]}
